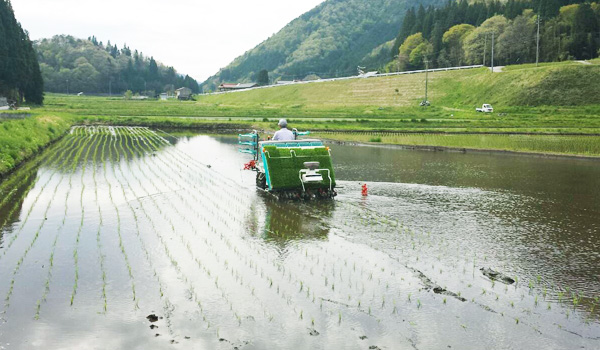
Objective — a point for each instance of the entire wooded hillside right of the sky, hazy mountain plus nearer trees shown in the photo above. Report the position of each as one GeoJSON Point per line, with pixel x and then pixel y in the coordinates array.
{"type": "Point", "coordinates": [395, 35]}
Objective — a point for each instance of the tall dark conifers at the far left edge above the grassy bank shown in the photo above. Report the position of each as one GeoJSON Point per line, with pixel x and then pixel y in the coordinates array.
{"type": "Point", "coordinates": [20, 77]}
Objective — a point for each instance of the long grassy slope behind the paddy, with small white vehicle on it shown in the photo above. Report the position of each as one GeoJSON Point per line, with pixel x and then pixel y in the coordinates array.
{"type": "Point", "coordinates": [552, 98]}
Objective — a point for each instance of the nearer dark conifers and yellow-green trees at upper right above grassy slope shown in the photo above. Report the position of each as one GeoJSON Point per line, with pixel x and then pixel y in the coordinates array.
{"type": "Point", "coordinates": [462, 33]}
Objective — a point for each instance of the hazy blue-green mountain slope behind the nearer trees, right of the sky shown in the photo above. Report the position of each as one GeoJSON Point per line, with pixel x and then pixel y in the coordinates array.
{"type": "Point", "coordinates": [331, 39]}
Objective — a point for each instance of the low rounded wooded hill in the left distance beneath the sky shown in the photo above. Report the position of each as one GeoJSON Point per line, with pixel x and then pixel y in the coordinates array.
{"type": "Point", "coordinates": [72, 65]}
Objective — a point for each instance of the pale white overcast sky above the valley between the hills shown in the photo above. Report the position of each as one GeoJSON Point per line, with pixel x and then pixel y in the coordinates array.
{"type": "Point", "coordinates": [196, 37]}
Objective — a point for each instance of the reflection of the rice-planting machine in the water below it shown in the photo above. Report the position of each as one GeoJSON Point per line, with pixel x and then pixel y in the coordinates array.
{"type": "Point", "coordinates": [290, 220]}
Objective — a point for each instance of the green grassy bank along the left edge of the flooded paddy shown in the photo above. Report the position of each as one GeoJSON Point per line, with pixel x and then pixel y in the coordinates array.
{"type": "Point", "coordinates": [22, 138]}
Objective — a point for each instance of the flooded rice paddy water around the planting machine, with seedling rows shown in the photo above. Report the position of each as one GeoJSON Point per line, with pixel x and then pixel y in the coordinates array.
{"type": "Point", "coordinates": [131, 238]}
